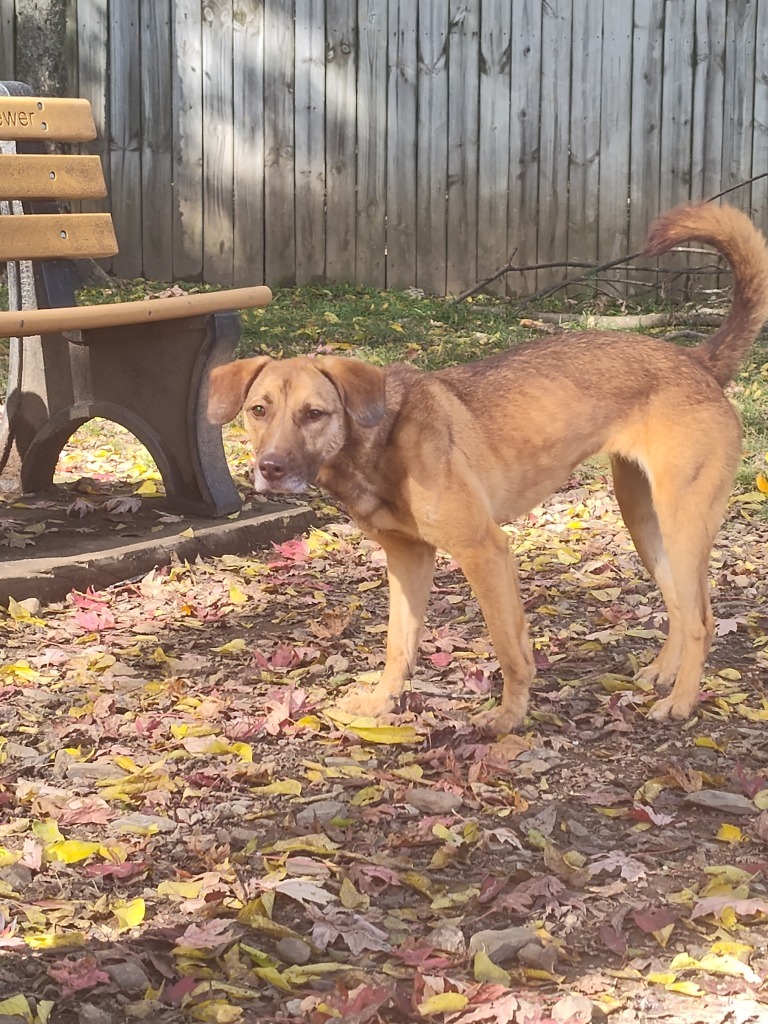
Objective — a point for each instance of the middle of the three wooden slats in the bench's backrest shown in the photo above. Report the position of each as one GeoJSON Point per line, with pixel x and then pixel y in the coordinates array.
{"type": "Point", "coordinates": [26, 177]}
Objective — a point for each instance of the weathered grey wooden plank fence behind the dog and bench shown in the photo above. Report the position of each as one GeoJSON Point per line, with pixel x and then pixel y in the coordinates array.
{"type": "Point", "coordinates": [413, 143]}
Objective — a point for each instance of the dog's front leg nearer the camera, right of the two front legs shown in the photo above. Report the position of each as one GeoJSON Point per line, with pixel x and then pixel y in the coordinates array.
{"type": "Point", "coordinates": [492, 573]}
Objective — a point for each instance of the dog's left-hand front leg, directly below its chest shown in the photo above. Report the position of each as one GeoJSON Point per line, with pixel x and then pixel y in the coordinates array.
{"type": "Point", "coordinates": [410, 569]}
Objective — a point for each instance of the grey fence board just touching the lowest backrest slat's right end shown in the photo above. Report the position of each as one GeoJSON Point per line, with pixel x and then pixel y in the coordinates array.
{"type": "Point", "coordinates": [125, 138]}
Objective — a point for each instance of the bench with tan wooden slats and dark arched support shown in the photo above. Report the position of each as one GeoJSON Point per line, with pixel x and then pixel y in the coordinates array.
{"type": "Point", "coordinates": [144, 365]}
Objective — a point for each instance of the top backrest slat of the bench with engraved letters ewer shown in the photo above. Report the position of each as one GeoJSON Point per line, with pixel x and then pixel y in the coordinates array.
{"type": "Point", "coordinates": [44, 118]}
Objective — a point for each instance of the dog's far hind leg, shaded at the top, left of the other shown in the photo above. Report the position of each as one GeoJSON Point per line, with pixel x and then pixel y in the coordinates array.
{"type": "Point", "coordinates": [632, 489]}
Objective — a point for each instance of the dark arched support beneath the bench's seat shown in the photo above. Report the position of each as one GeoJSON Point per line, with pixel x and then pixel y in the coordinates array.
{"type": "Point", "coordinates": [153, 380]}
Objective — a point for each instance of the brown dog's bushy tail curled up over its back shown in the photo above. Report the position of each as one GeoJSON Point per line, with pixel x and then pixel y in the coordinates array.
{"type": "Point", "coordinates": [733, 234]}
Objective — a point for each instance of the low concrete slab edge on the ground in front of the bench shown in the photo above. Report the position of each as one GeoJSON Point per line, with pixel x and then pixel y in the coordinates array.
{"type": "Point", "coordinates": [104, 562]}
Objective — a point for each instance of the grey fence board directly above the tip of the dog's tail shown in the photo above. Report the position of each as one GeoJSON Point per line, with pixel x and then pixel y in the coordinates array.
{"type": "Point", "coordinates": [646, 126]}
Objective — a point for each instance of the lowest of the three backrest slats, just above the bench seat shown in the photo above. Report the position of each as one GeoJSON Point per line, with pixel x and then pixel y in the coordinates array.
{"type": "Point", "coordinates": [54, 236]}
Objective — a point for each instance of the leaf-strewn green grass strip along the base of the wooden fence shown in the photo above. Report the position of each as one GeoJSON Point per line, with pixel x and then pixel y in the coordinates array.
{"type": "Point", "coordinates": [433, 332]}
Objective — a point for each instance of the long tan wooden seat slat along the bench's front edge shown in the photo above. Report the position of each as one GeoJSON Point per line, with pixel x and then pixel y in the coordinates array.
{"type": "Point", "coordinates": [16, 324]}
